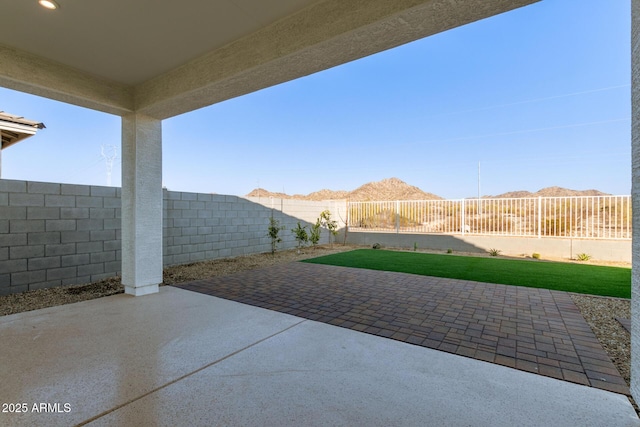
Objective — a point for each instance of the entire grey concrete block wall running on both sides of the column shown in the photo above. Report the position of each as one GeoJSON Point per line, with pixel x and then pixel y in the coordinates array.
{"type": "Point", "coordinates": [59, 234]}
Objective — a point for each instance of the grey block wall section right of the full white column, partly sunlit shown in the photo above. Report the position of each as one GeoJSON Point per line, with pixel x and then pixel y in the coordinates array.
{"type": "Point", "coordinates": [201, 227]}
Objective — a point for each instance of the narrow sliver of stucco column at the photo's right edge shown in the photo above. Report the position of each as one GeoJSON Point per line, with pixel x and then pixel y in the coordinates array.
{"type": "Point", "coordinates": [635, 198]}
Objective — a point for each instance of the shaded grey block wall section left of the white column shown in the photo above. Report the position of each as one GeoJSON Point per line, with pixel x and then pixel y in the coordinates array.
{"type": "Point", "coordinates": [57, 234]}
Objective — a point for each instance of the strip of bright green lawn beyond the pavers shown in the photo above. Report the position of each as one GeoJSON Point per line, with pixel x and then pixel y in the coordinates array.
{"type": "Point", "coordinates": [580, 278]}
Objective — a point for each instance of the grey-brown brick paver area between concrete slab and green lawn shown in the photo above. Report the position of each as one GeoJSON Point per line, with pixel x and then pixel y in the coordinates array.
{"type": "Point", "coordinates": [534, 330]}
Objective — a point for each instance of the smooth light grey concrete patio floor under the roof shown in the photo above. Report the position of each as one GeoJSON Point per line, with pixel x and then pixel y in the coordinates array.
{"type": "Point", "coordinates": [185, 358]}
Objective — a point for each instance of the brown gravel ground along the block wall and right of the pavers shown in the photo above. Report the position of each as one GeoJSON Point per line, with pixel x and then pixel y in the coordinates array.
{"type": "Point", "coordinates": [599, 312]}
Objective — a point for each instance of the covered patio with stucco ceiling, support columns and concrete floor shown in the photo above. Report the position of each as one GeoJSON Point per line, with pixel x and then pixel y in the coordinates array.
{"type": "Point", "coordinates": [153, 360]}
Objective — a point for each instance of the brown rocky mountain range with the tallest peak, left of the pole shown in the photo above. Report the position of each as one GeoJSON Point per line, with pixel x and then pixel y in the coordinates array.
{"type": "Point", "coordinates": [387, 189]}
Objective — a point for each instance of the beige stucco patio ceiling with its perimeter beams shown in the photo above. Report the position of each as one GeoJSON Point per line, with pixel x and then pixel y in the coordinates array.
{"type": "Point", "coordinates": [162, 58]}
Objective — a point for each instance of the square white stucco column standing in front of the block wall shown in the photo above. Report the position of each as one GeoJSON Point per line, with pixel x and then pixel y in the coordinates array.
{"type": "Point", "coordinates": [141, 204]}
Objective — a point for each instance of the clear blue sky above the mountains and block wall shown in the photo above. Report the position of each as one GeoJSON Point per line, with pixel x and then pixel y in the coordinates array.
{"type": "Point", "coordinates": [539, 96]}
